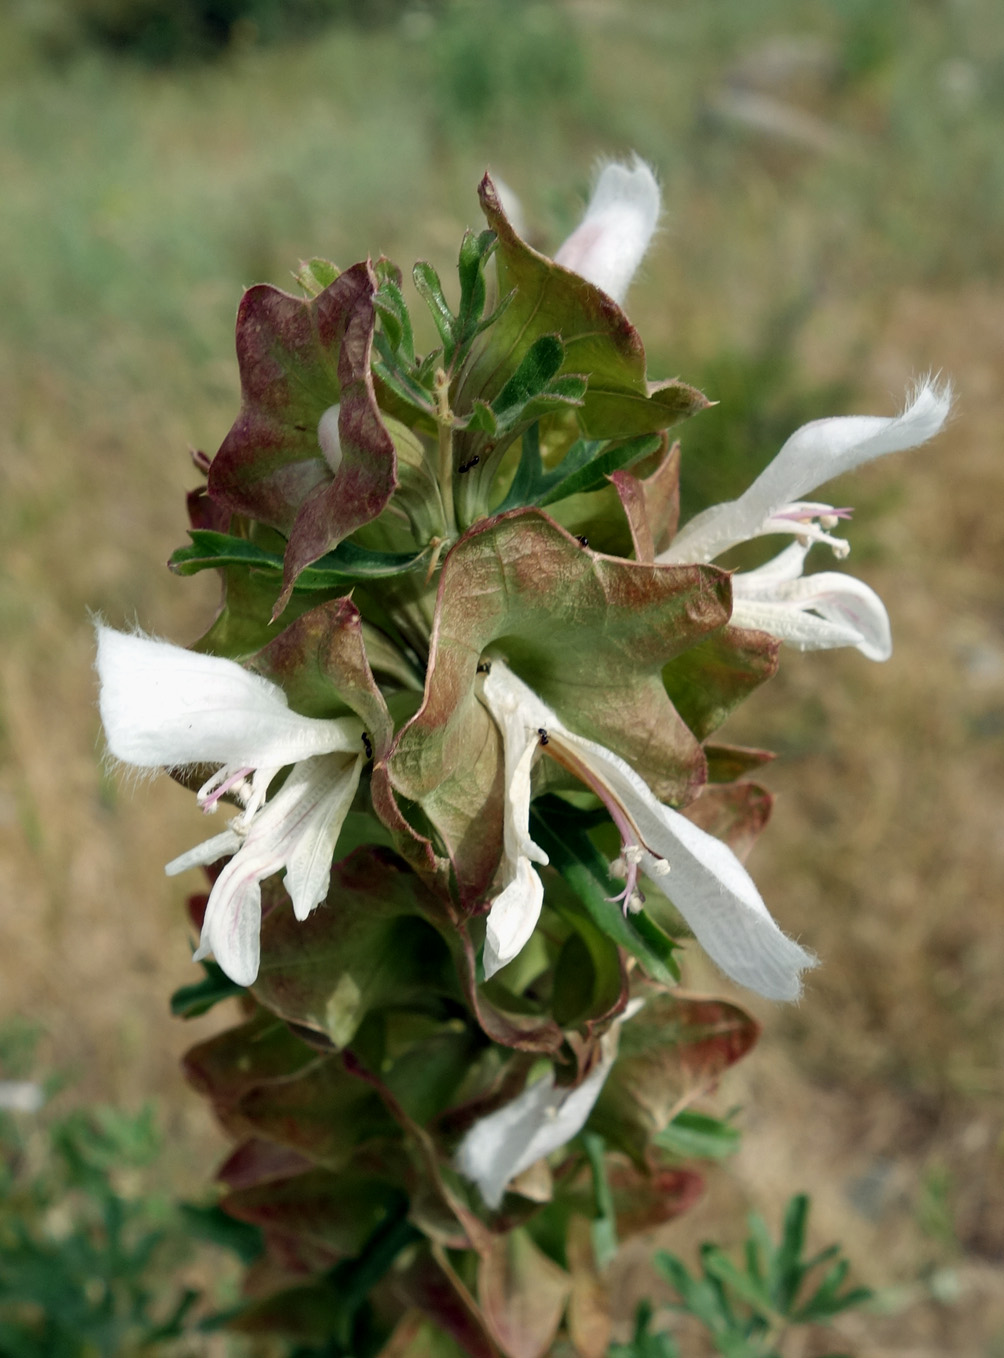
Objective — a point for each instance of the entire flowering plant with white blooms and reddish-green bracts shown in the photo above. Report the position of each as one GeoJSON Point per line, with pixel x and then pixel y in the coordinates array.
{"type": "Point", "coordinates": [463, 693]}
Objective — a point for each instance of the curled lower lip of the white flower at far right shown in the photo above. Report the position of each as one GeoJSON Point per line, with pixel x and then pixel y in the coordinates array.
{"type": "Point", "coordinates": [812, 613]}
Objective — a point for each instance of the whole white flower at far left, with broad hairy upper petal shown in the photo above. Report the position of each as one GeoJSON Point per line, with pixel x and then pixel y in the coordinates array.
{"type": "Point", "coordinates": [165, 707]}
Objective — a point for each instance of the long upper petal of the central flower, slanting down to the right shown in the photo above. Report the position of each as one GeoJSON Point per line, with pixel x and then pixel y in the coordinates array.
{"type": "Point", "coordinates": [707, 883]}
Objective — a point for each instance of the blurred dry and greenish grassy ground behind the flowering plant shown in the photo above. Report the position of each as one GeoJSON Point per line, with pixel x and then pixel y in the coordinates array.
{"type": "Point", "coordinates": [135, 207]}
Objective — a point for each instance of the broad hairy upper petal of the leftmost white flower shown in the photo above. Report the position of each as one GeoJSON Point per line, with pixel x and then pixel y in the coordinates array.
{"type": "Point", "coordinates": [165, 707]}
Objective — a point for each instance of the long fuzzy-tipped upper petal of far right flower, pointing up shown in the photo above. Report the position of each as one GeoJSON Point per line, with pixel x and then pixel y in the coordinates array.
{"type": "Point", "coordinates": [816, 454]}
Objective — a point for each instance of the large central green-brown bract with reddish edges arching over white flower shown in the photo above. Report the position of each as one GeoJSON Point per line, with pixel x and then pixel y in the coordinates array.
{"type": "Point", "coordinates": [589, 634]}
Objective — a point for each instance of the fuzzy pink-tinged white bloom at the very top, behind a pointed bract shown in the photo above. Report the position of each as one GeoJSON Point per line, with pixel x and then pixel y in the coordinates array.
{"type": "Point", "coordinates": [609, 244]}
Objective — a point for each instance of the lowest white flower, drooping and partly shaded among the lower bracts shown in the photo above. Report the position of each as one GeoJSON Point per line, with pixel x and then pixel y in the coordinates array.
{"type": "Point", "coordinates": [541, 1120]}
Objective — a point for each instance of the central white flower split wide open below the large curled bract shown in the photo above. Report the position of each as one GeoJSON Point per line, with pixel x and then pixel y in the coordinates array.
{"type": "Point", "coordinates": [703, 878]}
